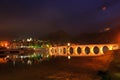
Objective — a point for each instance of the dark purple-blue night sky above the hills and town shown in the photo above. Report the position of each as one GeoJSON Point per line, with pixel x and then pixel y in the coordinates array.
{"type": "Point", "coordinates": [40, 17]}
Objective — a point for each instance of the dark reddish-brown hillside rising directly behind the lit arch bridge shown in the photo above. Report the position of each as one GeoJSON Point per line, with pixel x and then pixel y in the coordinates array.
{"type": "Point", "coordinates": [61, 37]}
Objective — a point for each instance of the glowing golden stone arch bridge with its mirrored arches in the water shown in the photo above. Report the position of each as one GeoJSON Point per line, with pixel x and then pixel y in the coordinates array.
{"type": "Point", "coordinates": [82, 50]}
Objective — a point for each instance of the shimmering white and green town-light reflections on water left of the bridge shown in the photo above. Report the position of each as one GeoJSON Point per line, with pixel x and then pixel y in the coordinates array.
{"type": "Point", "coordinates": [28, 58]}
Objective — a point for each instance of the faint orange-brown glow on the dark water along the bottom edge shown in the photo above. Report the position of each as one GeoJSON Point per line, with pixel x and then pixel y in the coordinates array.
{"type": "Point", "coordinates": [71, 76]}
